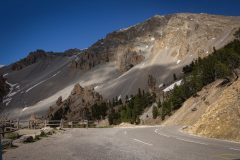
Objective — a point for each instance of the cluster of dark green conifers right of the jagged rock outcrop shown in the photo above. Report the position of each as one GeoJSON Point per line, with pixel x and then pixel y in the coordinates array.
{"type": "Point", "coordinates": [119, 110]}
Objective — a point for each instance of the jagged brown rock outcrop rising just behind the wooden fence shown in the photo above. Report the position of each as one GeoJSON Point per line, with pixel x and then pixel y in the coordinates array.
{"type": "Point", "coordinates": [76, 106]}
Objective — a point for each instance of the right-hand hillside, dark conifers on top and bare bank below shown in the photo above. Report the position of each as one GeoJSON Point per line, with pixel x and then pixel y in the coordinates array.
{"type": "Point", "coordinates": [212, 107]}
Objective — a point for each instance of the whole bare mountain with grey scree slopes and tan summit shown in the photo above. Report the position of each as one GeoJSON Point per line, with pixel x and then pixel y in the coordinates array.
{"type": "Point", "coordinates": [118, 64]}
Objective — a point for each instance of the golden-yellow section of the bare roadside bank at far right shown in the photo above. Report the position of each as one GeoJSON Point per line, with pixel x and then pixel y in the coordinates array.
{"type": "Point", "coordinates": [222, 118]}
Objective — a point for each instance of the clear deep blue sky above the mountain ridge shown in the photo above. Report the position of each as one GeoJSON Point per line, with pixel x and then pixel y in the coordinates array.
{"type": "Point", "coordinates": [57, 25]}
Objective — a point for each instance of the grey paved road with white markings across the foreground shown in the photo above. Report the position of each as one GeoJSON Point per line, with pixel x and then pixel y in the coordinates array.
{"type": "Point", "coordinates": [151, 143]}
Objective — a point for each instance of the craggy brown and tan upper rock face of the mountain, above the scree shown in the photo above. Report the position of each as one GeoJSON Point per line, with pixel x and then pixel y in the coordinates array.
{"type": "Point", "coordinates": [186, 35]}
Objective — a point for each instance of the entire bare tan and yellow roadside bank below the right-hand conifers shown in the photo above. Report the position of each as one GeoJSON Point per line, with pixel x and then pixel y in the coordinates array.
{"type": "Point", "coordinates": [214, 113]}
